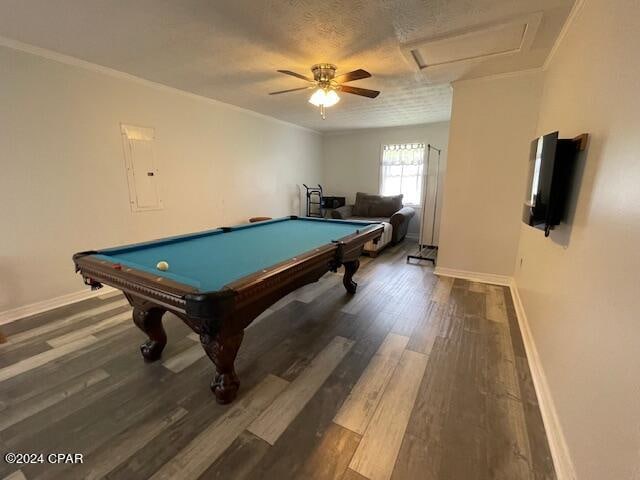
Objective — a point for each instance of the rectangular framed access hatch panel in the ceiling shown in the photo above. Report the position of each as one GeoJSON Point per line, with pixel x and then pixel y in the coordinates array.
{"type": "Point", "coordinates": [506, 38]}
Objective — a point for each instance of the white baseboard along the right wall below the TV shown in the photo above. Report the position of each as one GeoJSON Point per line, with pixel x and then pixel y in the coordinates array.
{"type": "Point", "coordinates": [557, 443]}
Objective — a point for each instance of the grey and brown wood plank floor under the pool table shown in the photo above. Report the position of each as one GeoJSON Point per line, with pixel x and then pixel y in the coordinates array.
{"type": "Point", "coordinates": [414, 377]}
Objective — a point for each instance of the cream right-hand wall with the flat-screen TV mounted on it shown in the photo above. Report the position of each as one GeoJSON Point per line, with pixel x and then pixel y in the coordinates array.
{"type": "Point", "coordinates": [581, 286]}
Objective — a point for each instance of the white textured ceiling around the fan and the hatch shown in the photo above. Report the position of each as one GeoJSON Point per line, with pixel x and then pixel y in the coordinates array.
{"type": "Point", "coordinates": [229, 50]}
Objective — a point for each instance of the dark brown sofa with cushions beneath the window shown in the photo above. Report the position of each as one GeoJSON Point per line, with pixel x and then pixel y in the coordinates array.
{"type": "Point", "coordinates": [377, 207]}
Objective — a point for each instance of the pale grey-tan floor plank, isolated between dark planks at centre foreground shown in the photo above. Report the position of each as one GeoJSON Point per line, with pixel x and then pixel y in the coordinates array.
{"type": "Point", "coordinates": [277, 417]}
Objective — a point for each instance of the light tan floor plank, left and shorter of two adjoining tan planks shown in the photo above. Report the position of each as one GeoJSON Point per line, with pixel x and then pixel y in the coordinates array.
{"type": "Point", "coordinates": [361, 404]}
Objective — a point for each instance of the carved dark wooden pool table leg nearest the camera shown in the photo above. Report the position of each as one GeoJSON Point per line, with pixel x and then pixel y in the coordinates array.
{"type": "Point", "coordinates": [222, 350]}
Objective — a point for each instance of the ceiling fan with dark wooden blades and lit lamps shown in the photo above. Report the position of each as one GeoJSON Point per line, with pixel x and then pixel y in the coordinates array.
{"type": "Point", "coordinates": [327, 84]}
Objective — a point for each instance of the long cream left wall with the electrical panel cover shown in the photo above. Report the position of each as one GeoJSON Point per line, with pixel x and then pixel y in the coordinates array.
{"type": "Point", "coordinates": [63, 186]}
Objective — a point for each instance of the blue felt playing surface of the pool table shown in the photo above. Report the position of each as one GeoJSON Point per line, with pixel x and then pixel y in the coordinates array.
{"type": "Point", "coordinates": [210, 260]}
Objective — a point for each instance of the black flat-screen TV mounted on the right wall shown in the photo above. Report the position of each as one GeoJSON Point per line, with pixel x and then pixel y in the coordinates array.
{"type": "Point", "coordinates": [551, 168]}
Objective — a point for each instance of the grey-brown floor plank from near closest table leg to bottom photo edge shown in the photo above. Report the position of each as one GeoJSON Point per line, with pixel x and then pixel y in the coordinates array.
{"type": "Point", "coordinates": [193, 460]}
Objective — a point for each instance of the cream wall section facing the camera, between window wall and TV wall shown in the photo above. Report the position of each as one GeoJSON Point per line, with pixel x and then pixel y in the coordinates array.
{"type": "Point", "coordinates": [492, 124]}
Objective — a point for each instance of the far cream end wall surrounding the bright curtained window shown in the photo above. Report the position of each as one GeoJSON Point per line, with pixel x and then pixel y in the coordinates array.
{"type": "Point", "coordinates": [352, 158]}
